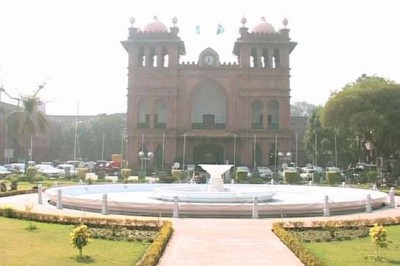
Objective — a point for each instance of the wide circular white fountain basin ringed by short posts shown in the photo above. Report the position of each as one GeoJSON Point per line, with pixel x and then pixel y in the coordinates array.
{"type": "Point", "coordinates": [235, 201]}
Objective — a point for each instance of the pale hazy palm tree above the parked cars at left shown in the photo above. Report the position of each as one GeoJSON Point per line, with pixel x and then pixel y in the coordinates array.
{"type": "Point", "coordinates": [27, 121]}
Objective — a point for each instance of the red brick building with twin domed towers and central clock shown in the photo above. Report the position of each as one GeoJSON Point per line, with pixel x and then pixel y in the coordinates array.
{"type": "Point", "coordinates": [208, 111]}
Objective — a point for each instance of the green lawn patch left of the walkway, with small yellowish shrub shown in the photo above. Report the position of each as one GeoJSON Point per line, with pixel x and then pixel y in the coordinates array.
{"type": "Point", "coordinates": [49, 245]}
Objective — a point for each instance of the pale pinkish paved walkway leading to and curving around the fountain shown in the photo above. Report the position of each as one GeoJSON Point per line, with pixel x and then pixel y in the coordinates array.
{"type": "Point", "coordinates": [204, 242]}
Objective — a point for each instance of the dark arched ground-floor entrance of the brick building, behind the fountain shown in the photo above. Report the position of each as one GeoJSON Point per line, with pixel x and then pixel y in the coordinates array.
{"type": "Point", "coordinates": [208, 154]}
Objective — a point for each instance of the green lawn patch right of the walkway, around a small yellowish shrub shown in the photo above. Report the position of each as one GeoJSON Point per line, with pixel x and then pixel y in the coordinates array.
{"type": "Point", "coordinates": [359, 251]}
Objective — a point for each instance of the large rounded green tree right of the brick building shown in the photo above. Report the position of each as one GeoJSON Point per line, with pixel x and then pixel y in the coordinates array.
{"type": "Point", "coordinates": [369, 109]}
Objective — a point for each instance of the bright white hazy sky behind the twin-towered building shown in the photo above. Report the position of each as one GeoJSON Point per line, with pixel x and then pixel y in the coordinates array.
{"type": "Point", "coordinates": [74, 46]}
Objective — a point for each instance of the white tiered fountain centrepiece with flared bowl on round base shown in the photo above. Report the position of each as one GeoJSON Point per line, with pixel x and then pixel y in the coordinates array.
{"type": "Point", "coordinates": [215, 191]}
